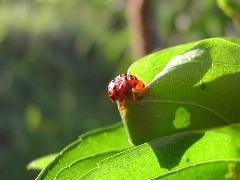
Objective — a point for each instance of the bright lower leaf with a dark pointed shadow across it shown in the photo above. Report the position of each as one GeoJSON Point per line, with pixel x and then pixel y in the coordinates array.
{"type": "Point", "coordinates": [171, 154]}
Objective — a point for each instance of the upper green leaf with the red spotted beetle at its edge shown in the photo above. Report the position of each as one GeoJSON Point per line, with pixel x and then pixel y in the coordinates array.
{"type": "Point", "coordinates": [190, 87]}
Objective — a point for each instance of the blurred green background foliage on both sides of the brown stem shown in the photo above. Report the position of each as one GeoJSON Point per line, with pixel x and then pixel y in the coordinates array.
{"type": "Point", "coordinates": [57, 57]}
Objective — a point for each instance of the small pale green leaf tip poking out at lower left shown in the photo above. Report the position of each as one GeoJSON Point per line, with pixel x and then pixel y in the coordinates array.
{"type": "Point", "coordinates": [42, 162]}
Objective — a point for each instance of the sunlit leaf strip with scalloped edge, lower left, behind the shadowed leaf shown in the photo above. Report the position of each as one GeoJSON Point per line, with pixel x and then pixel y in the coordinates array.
{"type": "Point", "coordinates": [88, 150]}
